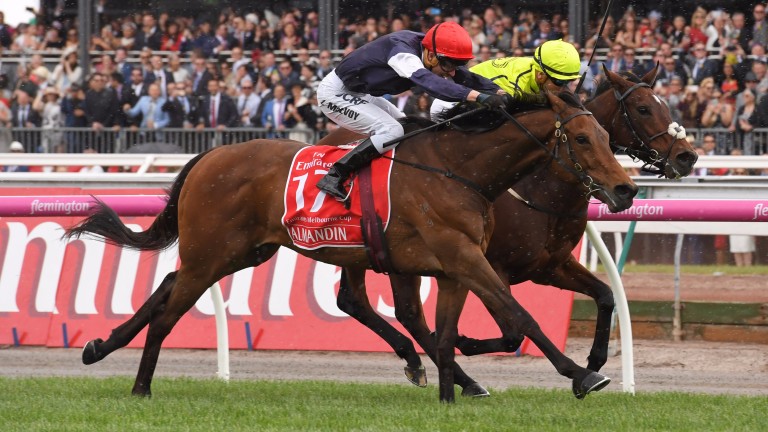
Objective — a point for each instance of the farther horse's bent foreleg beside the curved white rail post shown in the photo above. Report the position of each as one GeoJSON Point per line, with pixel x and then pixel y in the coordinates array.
{"type": "Point", "coordinates": [573, 276]}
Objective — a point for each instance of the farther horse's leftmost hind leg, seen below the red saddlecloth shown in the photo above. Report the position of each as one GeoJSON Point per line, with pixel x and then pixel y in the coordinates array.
{"type": "Point", "coordinates": [353, 300]}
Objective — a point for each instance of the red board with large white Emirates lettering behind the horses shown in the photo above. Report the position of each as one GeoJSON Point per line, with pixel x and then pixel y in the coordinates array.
{"type": "Point", "coordinates": [289, 302]}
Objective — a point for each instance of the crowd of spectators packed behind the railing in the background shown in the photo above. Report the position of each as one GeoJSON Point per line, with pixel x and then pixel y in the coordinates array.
{"type": "Point", "coordinates": [260, 69]}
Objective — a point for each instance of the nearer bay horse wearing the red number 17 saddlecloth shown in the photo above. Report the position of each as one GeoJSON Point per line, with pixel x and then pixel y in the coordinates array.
{"type": "Point", "coordinates": [225, 207]}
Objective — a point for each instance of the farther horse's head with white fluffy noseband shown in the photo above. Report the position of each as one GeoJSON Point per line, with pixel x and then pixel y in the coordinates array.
{"type": "Point", "coordinates": [639, 123]}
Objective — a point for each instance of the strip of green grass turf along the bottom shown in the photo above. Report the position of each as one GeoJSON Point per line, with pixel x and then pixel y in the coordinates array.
{"type": "Point", "coordinates": [92, 404]}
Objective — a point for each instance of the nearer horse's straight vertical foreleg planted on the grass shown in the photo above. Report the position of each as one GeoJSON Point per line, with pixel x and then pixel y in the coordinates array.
{"type": "Point", "coordinates": [450, 301]}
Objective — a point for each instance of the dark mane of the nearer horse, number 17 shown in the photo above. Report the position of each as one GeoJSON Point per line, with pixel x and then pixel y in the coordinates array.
{"type": "Point", "coordinates": [487, 120]}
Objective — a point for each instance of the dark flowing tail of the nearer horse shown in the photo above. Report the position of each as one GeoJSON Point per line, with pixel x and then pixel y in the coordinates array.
{"type": "Point", "coordinates": [162, 234]}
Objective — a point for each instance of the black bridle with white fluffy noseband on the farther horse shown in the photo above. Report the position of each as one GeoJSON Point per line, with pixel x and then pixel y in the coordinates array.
{"type": "Point", "coordinates": [653, 162]}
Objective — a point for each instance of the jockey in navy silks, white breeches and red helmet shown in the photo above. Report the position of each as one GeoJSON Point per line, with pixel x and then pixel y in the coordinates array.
{"type": "Point", "coordinates": [351, 95]}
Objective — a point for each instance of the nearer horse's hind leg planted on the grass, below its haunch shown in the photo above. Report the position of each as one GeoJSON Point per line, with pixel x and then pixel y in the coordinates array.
{"type": "Point", "coordinates": [192, 280]}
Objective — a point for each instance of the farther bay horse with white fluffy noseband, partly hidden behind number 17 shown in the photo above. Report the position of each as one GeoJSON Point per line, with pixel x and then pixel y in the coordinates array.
{"type": "Point", "coordinates": [535, 233]}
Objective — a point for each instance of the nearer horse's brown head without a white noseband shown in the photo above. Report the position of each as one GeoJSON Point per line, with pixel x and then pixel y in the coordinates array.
{"type": "Point", "coordinates": [582, 149]}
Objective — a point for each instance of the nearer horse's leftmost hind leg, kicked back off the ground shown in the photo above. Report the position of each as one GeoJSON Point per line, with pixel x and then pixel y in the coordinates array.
{"type": "Point", "coordinates": [97, 349]}
